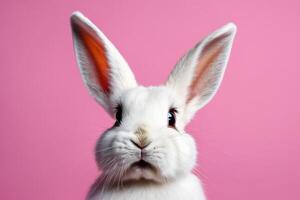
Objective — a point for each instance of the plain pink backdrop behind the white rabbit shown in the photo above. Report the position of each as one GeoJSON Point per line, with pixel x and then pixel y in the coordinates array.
{"type": "Point", "coordinates": [248, 136]}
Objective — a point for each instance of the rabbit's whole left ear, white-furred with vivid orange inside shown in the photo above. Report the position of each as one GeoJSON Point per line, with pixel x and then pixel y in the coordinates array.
{"type": "Point", "coordinates": [103, 69]}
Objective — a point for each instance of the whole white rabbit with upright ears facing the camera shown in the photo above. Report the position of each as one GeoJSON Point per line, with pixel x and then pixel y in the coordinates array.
{"type": "Point", "coordinates": [147, 154]}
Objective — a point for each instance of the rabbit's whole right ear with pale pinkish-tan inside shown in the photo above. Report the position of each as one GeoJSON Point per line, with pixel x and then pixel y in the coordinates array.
{"type": "Point", "coordinates": [197, 76]}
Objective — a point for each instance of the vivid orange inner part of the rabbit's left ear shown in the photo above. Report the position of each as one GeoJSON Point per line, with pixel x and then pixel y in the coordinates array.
{"type": "Point", "coordinates": [96, 52]}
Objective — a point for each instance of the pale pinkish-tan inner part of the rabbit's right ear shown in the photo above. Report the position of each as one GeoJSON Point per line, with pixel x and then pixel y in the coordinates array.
{"type": "Point", "coordinates": [206, 60]}
